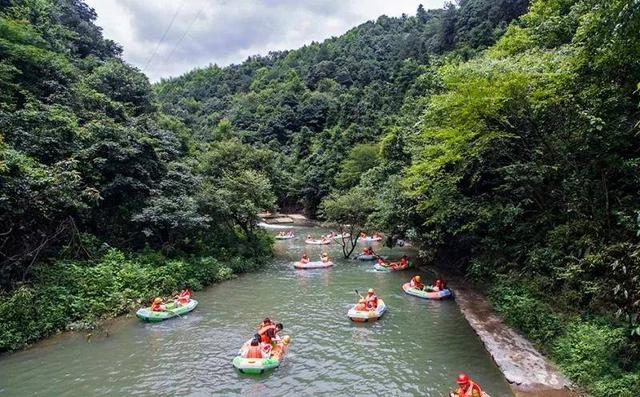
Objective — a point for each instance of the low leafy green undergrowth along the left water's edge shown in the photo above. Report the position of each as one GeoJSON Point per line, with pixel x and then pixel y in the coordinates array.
{"type": "Point", "coordinates": [71, 295]}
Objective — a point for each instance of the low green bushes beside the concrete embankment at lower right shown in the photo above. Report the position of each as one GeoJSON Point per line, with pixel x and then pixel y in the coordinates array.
{"type": "Point", "coordinates": [594, 351]}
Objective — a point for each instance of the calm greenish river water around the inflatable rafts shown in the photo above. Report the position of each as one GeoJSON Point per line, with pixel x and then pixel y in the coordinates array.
{"type": "Point", "coordinates": [417, 348]}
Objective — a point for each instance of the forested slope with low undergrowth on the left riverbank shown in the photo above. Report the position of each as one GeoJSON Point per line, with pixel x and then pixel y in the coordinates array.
{"type": "Point", "coordinates": [92, 174]}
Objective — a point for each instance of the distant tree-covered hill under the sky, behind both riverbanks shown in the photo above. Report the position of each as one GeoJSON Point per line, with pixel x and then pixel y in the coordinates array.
{"type": "Point", "coordinates": [314, 104]}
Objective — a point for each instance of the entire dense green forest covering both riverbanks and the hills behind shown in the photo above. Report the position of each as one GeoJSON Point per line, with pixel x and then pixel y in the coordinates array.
{"type": "Point", "coordinates": [500, 136]}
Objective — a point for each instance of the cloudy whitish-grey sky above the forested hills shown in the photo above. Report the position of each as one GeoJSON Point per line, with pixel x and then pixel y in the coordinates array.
{"type": "Point", "coordinates": [165, 38]}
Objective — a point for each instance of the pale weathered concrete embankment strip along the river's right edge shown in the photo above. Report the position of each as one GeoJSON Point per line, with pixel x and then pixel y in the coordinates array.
{"type": "Point", "coordinates": [528, 372]}
